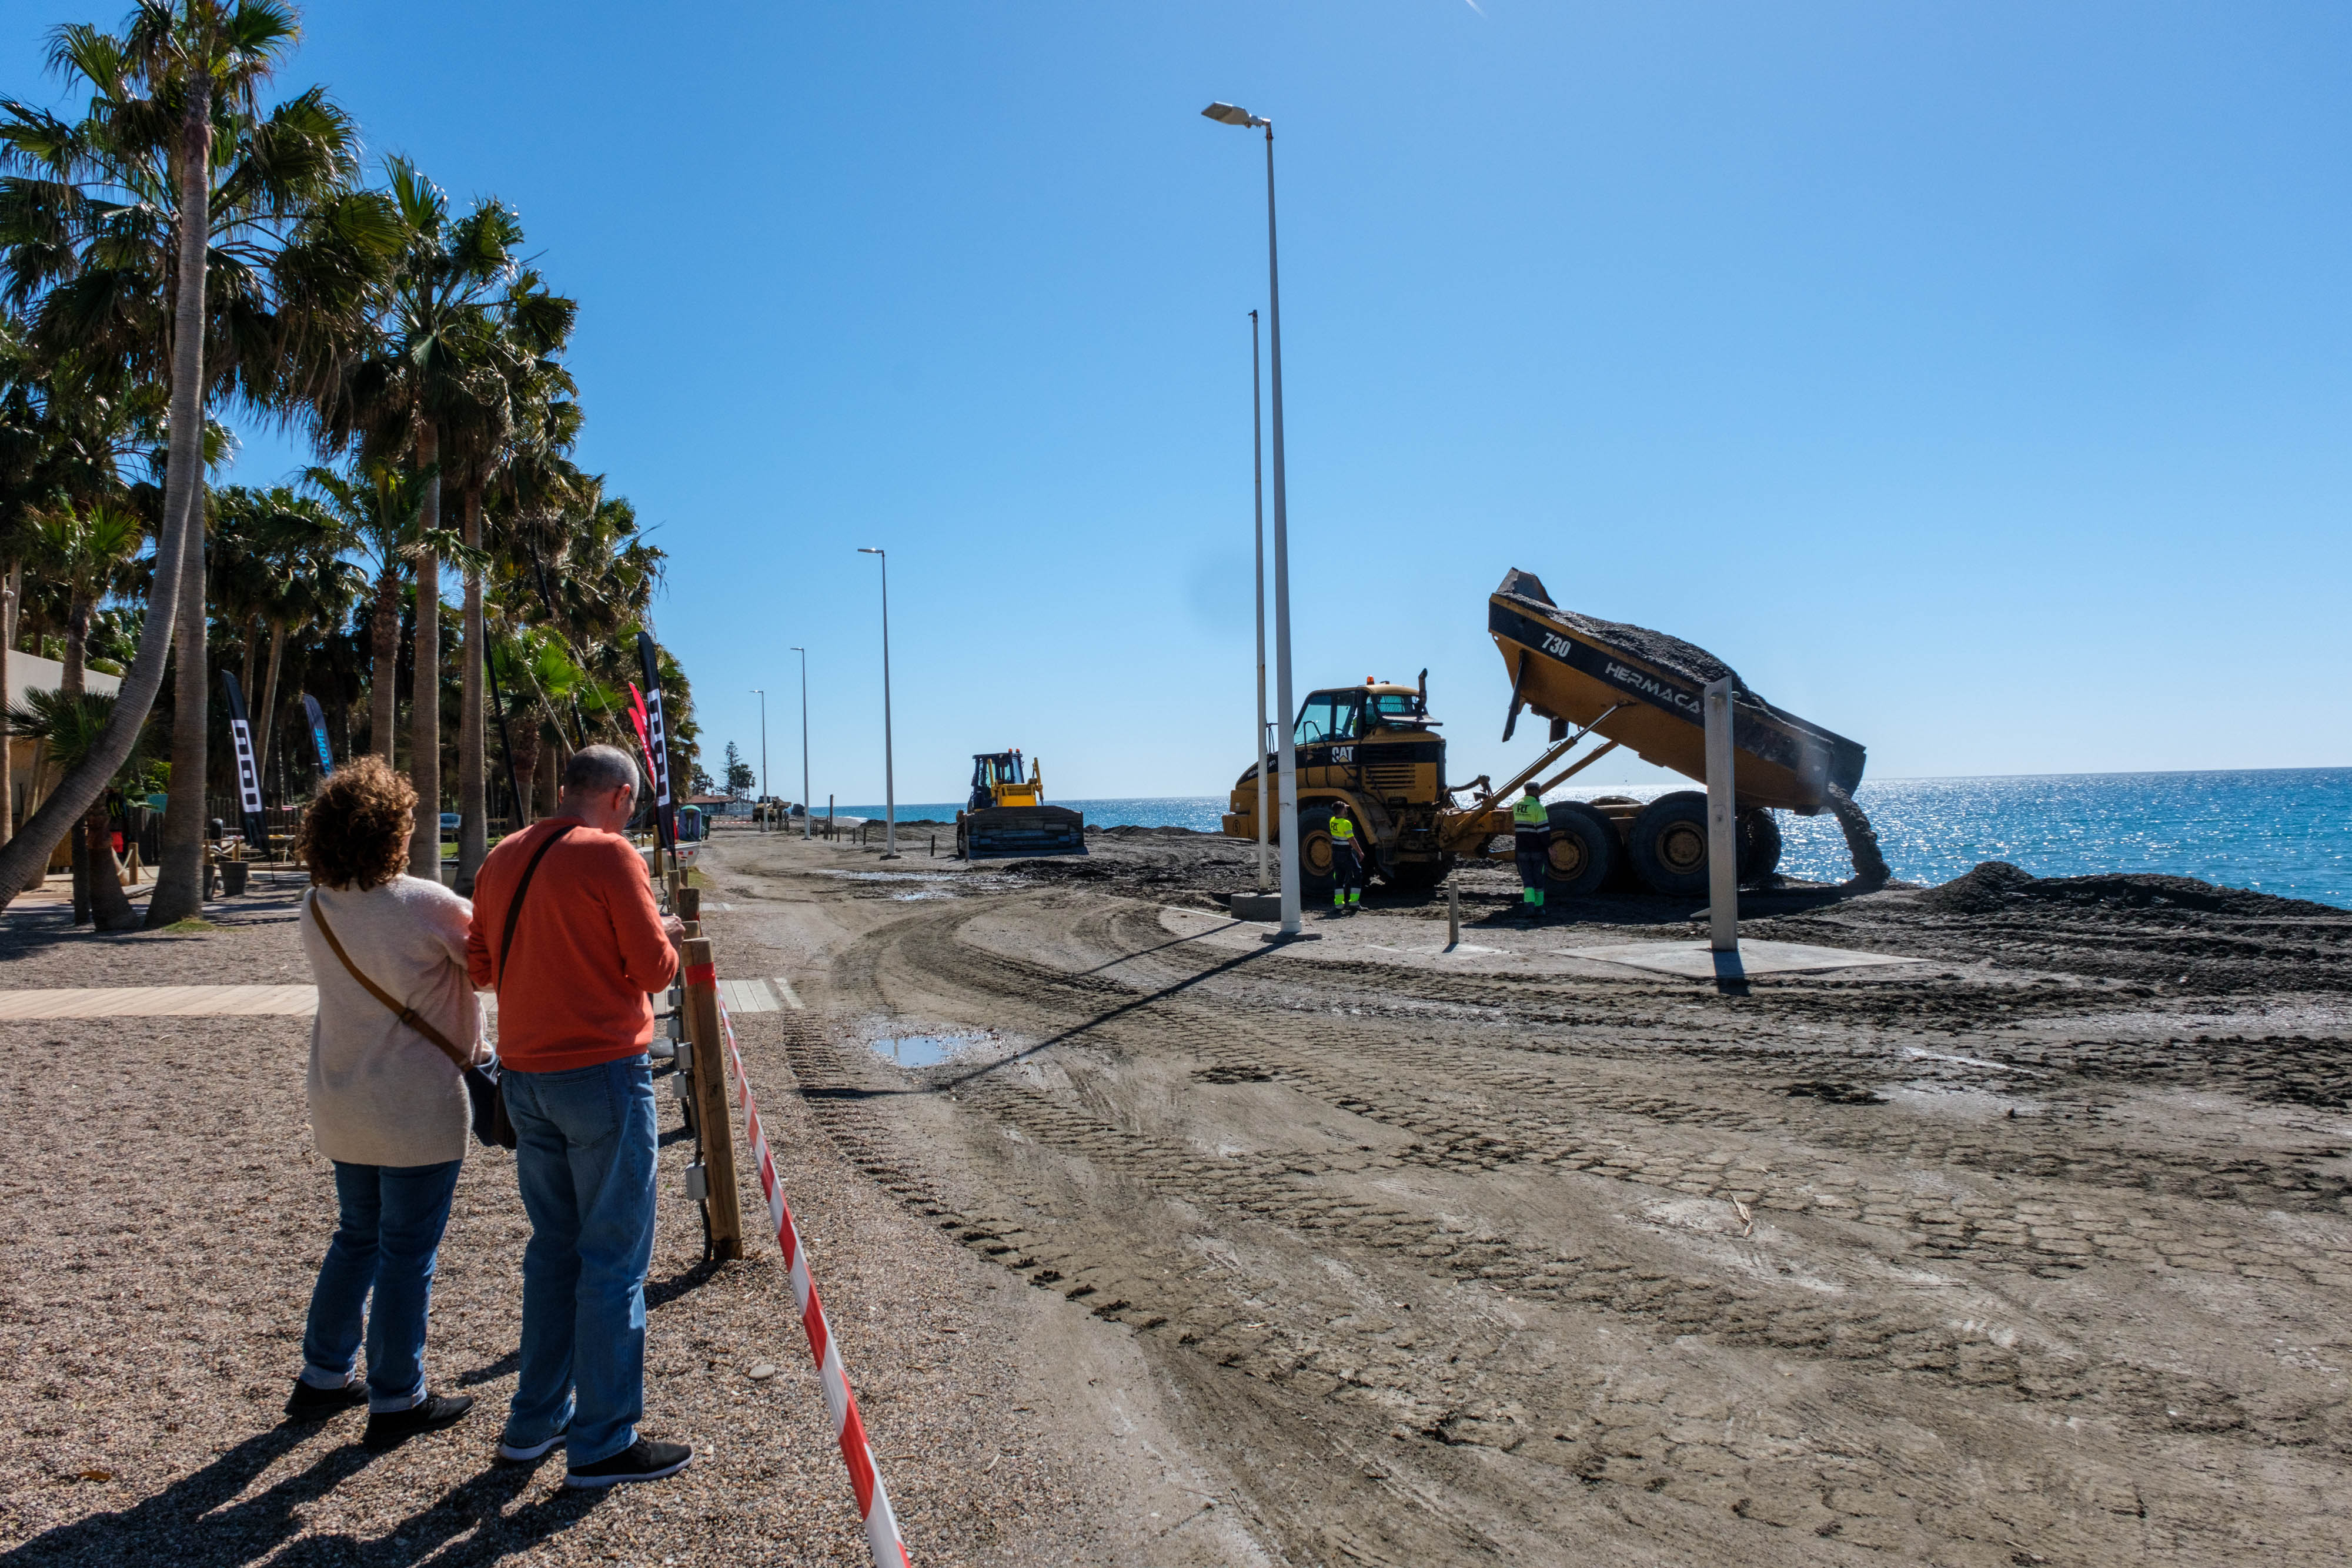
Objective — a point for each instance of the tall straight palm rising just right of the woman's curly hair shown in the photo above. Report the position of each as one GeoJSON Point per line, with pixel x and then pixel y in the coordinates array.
{"type": "Point", "coordinates": [434, 368]}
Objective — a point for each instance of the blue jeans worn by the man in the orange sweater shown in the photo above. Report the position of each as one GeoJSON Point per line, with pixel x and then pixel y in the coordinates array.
{"type": "Point", "coordinates": [584, 1158]}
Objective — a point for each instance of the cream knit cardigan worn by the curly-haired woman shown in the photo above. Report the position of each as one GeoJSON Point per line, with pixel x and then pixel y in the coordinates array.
{"type": "Point", "coordinates": [382, 1094]}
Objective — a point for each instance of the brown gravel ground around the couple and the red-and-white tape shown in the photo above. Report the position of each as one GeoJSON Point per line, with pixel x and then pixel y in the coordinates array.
{"type": "Point", "coordinates": [166, 1217]}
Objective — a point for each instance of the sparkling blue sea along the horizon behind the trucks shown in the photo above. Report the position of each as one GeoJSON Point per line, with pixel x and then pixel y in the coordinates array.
{"type": "Point", "coordinates": [2276, 831]}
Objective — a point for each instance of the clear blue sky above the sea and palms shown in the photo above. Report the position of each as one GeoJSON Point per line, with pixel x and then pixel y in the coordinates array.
{"type": "Point", "coordinates": [1972, 377]}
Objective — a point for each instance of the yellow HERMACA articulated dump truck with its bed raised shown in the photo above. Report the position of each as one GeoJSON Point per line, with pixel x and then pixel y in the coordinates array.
{"type": "Point", "coordinates": [1375, 751]}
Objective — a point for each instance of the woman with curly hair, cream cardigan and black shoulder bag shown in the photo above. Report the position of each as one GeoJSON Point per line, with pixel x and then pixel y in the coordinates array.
{"type": "Point", "coordinates": [387, 1104]}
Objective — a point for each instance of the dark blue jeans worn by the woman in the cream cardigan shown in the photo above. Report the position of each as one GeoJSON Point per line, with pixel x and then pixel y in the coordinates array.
{"type": "Point", "coordinates": [385, 1242]}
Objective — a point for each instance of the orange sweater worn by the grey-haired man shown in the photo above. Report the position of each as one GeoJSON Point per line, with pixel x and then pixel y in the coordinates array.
{"type": "Point", "coordinates": [587, 951]}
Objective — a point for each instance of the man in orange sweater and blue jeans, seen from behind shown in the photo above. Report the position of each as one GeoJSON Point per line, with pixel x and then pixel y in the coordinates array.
{"type": "Point", "coordinates": [568, 932]}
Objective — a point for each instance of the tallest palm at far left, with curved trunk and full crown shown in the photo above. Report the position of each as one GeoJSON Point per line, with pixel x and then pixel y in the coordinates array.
{"type": "Point", "coordinates": [154, 236]}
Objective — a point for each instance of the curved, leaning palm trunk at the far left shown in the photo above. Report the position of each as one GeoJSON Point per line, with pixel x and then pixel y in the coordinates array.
{"type": "Point", "coordinates": [182, 483]}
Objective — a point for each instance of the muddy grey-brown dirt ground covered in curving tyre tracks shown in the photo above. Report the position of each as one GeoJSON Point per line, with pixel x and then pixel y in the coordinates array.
{"type": "Point", "coordinates": [2031, 1252]}
